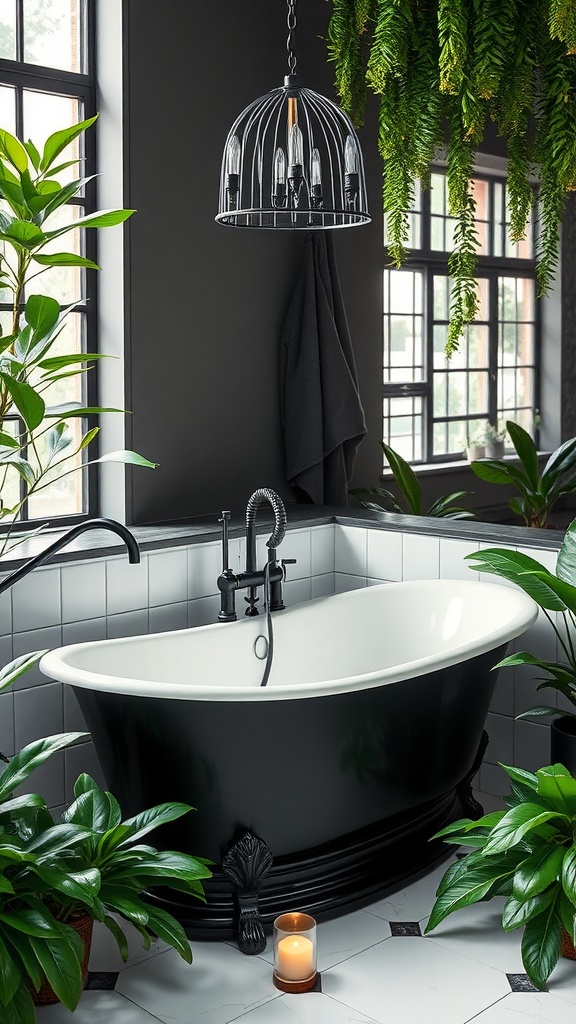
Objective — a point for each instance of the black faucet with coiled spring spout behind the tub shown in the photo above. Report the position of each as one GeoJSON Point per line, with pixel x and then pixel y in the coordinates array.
{"type": "Point", "coordinates": [275, 573]}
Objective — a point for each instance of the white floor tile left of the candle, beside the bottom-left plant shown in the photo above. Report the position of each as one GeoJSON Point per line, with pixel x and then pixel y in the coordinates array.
{"type": "Point", "coordinates": [221, 986]}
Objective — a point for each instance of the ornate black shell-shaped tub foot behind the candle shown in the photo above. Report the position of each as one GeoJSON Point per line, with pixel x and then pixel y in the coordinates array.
{"type": "Point", "coordinates": [245, 866]}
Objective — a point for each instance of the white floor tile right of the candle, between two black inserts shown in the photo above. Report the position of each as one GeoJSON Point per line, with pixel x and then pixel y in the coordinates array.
{"type": "Point", "coordinates": [404, 980]}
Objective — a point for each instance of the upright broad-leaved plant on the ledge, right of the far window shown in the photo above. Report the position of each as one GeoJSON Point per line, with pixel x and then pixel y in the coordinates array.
{"type": "Point", "coordinates": [539, 492]}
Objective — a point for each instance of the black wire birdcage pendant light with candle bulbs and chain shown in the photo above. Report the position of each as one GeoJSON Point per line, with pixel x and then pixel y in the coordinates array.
{"type": "Point", "coordinates": [293, 160]}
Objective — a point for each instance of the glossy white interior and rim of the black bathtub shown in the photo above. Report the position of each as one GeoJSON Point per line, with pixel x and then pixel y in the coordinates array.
{"type": "Point", "coordinates": [362, 638]}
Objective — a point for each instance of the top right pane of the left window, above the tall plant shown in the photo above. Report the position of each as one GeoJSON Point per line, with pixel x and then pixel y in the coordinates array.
{"type": "Point", "coordinates": [54, 34]}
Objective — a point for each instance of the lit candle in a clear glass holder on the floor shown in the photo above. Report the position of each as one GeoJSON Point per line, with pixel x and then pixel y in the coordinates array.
{"type": "Point", "coordinates": [295, 953]}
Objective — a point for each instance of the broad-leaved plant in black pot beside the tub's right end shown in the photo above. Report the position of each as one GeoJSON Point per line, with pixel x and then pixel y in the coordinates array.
{"type": "Point", "coordinates": [556, 595]}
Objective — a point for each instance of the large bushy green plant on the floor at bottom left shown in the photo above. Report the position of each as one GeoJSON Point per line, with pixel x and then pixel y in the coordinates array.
{"type": "Point", "coordinates": [58, 878]}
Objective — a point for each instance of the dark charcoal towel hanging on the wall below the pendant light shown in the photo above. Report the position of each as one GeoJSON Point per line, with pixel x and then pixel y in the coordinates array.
{"type": "Point", "coordinates": [321, 409]}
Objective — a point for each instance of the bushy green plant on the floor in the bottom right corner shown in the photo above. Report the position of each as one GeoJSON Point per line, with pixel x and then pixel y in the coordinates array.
{"type": "Point", "coordinates": [526, 855]}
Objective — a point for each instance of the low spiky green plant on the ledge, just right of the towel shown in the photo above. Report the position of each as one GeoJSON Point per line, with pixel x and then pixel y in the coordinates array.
{"type": "Point", "coordinates": [410, 490]}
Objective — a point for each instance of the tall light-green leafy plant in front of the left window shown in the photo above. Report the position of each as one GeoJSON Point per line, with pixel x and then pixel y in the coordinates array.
{"type": "Point", "coordinates": [38, 445]}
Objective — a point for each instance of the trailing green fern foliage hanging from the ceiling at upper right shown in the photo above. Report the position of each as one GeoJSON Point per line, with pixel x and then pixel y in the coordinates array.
{"type": "Point", "coordinates": [443, 70]}
